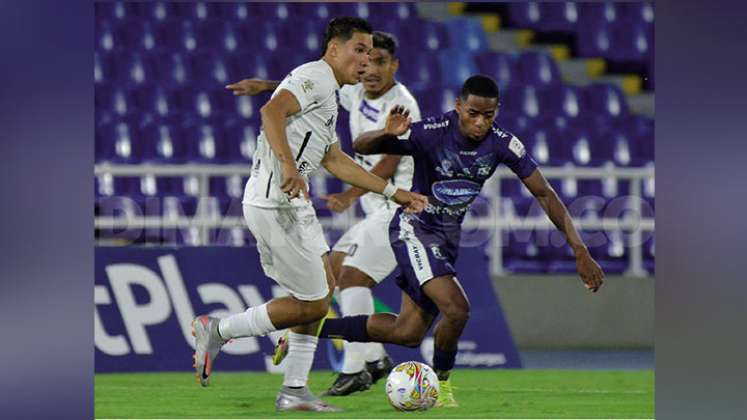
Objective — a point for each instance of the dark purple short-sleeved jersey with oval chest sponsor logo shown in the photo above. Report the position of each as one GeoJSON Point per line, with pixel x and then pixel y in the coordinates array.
{"type": "Point", "coordinates": [451, 169]}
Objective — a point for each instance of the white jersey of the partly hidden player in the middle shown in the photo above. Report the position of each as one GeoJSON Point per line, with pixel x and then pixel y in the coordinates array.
{"type": "Point", "coordinates": [370, 114]}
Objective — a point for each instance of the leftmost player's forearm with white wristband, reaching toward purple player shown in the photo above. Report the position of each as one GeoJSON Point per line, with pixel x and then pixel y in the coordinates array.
{"type": "Point", "coordinates": [343, 167]}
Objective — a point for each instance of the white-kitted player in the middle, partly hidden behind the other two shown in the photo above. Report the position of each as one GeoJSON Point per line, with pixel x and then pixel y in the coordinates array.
{"type": "Point", "coordinates": [363, 256]}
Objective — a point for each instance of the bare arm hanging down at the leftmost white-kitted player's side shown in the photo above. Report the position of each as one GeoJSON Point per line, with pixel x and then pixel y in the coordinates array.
{"type": "Point", "coordinates": [274, 117]}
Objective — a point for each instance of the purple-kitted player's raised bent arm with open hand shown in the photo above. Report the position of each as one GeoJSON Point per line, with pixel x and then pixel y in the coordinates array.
{"type": "Point", "coordinates": [385, 140]}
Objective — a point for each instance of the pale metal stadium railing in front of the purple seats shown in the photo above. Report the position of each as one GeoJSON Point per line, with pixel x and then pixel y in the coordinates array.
{"type": "Point", "coordinates": [496, 223]}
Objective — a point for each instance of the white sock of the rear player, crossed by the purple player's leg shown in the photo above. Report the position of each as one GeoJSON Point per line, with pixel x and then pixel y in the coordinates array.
{"type": "Point", "coordinates": [358, 301]}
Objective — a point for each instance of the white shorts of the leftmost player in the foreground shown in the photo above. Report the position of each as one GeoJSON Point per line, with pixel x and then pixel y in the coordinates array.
{"type": "Point", "coordinates": [291, 244]}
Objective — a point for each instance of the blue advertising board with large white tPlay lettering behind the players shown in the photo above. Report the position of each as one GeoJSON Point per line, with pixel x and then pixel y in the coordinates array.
{"type": "Point", "coordinates": [145, 299]}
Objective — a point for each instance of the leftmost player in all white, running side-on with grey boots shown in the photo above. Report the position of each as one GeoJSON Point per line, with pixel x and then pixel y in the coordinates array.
{"type": "Point", "coordinates": [297, 137]}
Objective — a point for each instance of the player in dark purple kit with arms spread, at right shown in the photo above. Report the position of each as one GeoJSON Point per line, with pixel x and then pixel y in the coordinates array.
{"type": "Point", "coordinates": [454, 155]}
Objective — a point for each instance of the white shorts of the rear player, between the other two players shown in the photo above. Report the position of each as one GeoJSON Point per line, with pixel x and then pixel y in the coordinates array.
{"type": "Point", "coordinates": [367, 245]}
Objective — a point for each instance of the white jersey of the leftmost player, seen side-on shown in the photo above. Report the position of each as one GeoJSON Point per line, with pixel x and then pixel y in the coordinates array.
{"type": "Point", "coordinates": [310, 134]}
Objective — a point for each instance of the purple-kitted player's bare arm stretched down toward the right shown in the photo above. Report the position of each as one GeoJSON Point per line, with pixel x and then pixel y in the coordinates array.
{"type": "Point", "coordinates": [587, 268]}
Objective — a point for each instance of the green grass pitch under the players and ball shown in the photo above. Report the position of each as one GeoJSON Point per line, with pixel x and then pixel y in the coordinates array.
{"type": "Point", "coordinates": [535, 394]}
